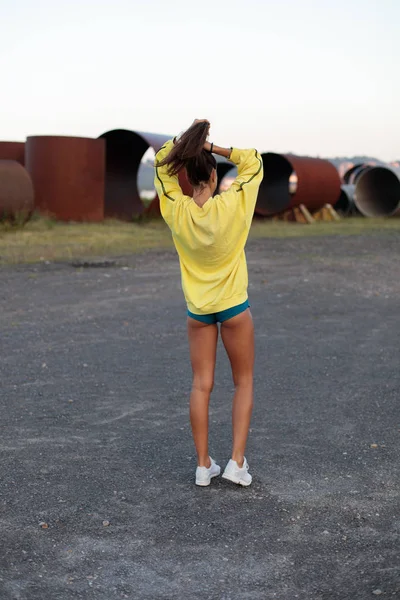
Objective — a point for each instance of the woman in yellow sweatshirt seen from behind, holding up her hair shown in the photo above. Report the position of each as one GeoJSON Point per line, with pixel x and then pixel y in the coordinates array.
{"type": "Point", "coordinates": [210, 233]}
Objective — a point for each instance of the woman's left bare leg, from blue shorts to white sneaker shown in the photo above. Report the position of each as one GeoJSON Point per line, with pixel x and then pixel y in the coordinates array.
{"type": "Point", "coordinates": [203, 350]}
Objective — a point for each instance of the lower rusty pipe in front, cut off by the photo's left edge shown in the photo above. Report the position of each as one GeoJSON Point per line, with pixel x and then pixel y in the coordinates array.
{"type": "Point", "coordinates": [16, 190]}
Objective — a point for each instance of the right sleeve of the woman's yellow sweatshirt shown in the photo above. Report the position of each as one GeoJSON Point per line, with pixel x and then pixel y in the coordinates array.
{"type": "Point", "coordinates": [244, 190]}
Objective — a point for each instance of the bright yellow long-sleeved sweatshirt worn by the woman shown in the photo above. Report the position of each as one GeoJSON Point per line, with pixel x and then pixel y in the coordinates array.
{"type": "Point", "coordinates": [210, 240]}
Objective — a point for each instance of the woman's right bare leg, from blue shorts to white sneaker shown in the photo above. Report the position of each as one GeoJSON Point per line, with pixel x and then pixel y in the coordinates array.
{"type": "Point", "coordinates": [238, 337]}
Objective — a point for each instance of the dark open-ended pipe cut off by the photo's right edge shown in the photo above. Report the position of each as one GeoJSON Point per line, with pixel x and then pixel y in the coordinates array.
{"type": "Point", "coordinates": [377, 190]}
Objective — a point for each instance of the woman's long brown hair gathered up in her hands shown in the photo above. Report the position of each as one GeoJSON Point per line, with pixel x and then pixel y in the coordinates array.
{"type": "Point", "coordinates": [188, 153]}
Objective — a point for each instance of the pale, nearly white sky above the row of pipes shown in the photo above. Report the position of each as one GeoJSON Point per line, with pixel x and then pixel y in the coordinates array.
{"type": "Point", "coordinates": [318, 77]}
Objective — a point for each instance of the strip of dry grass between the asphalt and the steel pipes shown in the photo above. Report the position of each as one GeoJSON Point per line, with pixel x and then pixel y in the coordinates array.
{"type": "Point", "coordinates": [43, 239]}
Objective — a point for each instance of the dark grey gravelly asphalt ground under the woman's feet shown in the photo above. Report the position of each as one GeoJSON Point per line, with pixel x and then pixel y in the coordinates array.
{"type": "Point", "coordinates": [97, 499]}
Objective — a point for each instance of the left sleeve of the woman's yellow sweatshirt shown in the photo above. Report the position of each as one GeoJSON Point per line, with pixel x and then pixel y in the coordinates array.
{"type": "Point", "coordinates": [167, 186]}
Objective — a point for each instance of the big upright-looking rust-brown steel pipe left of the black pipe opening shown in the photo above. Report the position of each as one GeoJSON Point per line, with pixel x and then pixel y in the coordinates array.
{"type": "Point", "coordinates": [68, 176]}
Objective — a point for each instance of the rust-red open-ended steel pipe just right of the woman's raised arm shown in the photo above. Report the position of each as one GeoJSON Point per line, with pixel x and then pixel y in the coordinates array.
{"type": "Point", "coordinates": [318, 183]}
